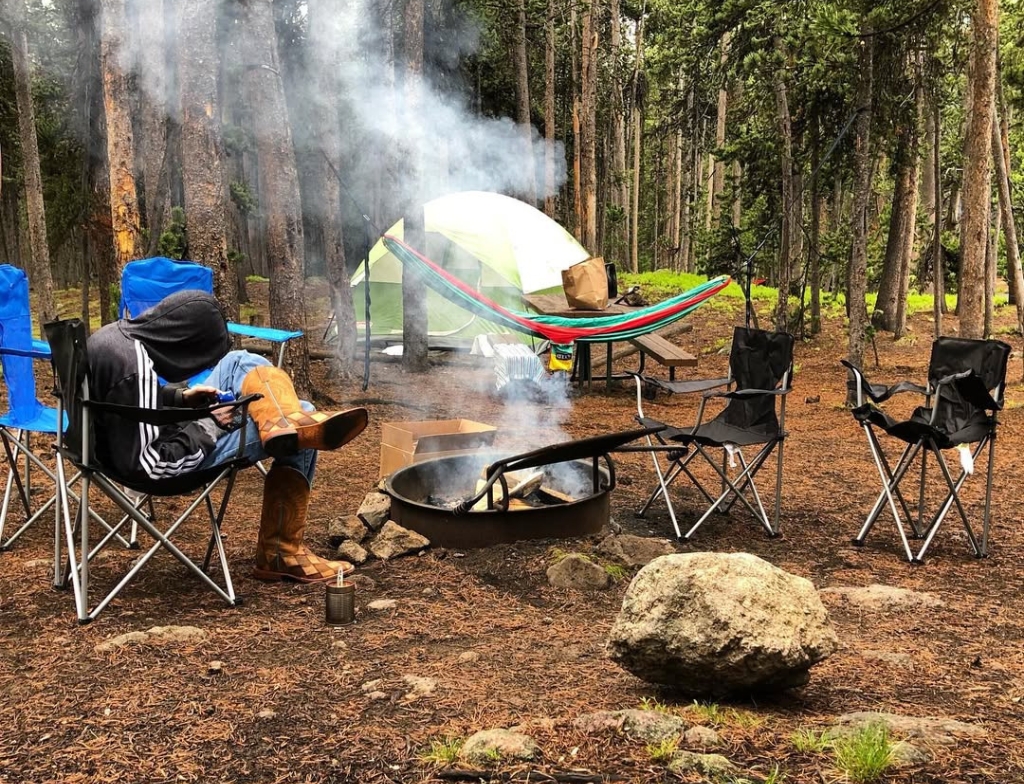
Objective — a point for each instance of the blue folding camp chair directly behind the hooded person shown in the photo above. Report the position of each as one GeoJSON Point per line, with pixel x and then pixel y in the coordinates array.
{"type": "Point", "coordinates": [147, 282]}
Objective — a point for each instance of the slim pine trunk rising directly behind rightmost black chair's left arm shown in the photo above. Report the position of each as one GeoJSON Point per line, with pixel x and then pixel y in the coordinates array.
{"type": "Point", "coordinates": [858, 278]}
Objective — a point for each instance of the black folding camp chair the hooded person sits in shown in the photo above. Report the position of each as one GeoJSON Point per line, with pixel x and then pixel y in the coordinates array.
{"type": "Point", "coordinates": [76, 448]}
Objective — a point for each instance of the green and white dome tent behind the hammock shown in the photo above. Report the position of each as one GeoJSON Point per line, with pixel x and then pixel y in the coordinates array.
{"type": "Point", "coordinates": [502, 247]}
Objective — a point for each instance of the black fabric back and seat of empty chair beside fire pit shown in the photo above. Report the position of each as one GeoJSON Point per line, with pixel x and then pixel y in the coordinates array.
{"type": "Point", "coordinates": [759, 361]}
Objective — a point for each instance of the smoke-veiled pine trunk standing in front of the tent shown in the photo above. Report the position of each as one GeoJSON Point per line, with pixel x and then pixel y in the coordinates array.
{"type": "Point", "coordinates": [414, 297]}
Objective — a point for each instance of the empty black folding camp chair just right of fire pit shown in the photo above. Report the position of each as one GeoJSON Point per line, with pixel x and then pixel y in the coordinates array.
{"type": "Point", "coordinates": [759, 380]}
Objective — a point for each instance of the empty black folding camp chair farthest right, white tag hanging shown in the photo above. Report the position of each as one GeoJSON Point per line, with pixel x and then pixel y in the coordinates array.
{"type": "Point", "coordinates": [966, 380]}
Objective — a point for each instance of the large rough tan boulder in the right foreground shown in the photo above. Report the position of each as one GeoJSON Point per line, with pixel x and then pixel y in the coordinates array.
{"type": "Point", "coordinates": [715, 625]}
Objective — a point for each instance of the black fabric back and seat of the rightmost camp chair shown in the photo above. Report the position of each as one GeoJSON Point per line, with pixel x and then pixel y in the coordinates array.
{"type": "Point", "coordinates": [988, 360]}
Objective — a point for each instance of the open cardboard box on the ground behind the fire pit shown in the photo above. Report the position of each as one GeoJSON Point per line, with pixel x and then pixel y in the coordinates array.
{"type": "Point", "coordinates": [404, 444]}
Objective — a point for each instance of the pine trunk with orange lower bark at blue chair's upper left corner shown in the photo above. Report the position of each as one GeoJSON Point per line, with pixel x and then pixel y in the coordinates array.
{"type": "Point", "coordinates": [125, 217]}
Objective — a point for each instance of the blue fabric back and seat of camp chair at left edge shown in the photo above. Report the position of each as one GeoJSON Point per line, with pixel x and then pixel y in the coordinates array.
{"type": "Point", "coordinates": [16, 332]}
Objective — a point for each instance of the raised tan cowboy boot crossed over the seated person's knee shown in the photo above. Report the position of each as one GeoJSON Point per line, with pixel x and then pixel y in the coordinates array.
{"type": "Point", "coordinates": [285, 428]}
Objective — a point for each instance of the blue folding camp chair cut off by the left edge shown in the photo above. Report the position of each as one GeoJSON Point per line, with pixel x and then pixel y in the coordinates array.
{"type": "Point", "coordinates": [26, 416]}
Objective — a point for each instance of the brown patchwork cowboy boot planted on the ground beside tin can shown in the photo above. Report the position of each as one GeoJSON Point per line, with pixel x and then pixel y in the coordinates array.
{"type": "Point", "coordinates": [281, 553]}
